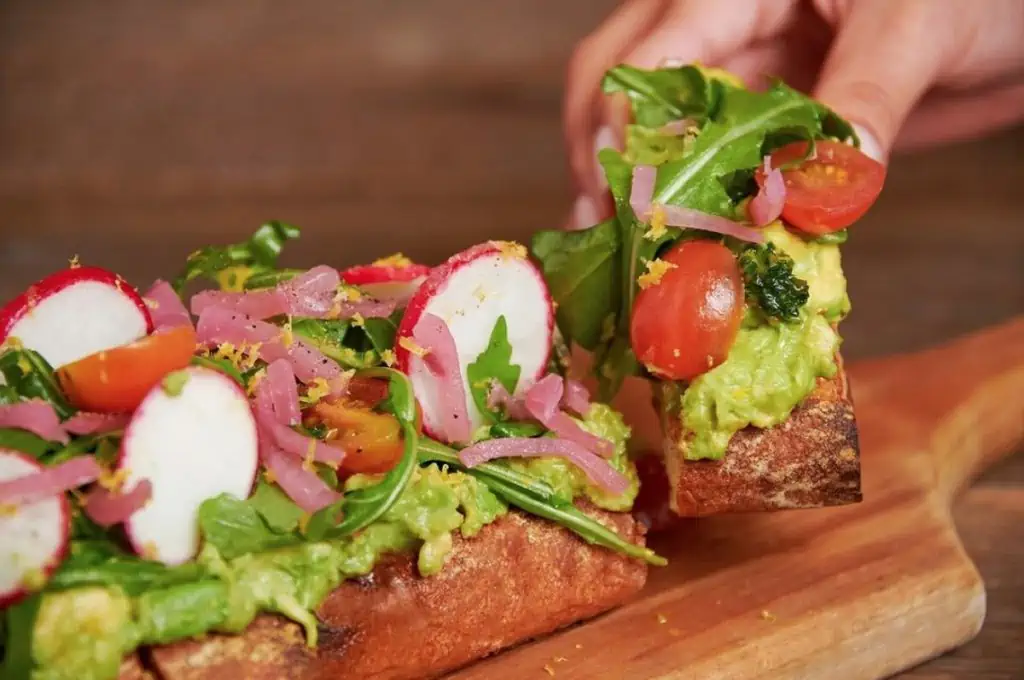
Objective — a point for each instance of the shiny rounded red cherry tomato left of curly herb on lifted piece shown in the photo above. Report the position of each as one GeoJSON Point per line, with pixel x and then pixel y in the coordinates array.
{"type": "Point", "coordinates": [685, 325]}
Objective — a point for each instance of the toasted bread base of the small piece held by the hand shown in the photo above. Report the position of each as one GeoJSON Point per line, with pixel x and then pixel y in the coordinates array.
{"type": "Point", "coordinates": [812, 460]}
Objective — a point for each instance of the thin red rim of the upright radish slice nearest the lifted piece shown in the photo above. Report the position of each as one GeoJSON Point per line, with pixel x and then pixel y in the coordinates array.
{"type": "Point", "coordinates": [435, 285]}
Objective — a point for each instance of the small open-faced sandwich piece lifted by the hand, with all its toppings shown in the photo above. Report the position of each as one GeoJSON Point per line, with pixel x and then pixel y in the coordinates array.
{"type": "Point", "coordinates": [719, 280]}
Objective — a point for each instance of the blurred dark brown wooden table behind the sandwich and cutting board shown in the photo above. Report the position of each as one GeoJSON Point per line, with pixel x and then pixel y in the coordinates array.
{"type": "Point", "coordinates": [134, 133]}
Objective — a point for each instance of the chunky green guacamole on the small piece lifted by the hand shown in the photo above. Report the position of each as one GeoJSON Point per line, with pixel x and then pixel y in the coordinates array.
{"type": "Point", "coordinates": [773, 366]}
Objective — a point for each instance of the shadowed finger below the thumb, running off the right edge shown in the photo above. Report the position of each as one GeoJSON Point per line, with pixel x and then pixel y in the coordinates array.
{"type": "Point", "coordinates": [947, 118]}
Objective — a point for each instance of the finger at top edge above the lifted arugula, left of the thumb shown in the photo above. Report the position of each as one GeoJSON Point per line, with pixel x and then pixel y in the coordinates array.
{"type": "Point", "coordinates": [709, 31]}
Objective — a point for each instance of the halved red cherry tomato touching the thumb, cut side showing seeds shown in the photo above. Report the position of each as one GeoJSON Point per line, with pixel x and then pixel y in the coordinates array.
{"type": "Point", "coordinates": [830, 193]}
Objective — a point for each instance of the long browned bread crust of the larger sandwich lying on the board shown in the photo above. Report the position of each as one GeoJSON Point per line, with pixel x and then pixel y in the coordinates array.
{"type": "Point", "coordinates": [519, 579]}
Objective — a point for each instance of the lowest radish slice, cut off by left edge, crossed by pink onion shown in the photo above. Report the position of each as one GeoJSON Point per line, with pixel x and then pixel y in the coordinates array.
{"type": "Point", "coordinates": [35, 535]}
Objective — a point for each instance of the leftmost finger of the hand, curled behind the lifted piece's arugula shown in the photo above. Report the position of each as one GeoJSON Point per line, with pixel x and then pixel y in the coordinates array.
{"type": "Point", "coordinates": [595, 55]}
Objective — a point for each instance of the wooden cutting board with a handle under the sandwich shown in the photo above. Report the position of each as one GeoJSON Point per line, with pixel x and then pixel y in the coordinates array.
{"type": "Point", "coordinates": [855, 592]}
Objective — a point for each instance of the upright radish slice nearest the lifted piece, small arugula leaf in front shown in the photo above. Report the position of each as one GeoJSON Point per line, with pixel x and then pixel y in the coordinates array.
{"type": "Point", "coordinates": [470, 292]}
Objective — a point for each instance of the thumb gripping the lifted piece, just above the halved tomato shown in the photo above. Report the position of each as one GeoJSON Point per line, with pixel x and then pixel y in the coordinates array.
{"type": "Point", "coordinates": [885, 58]}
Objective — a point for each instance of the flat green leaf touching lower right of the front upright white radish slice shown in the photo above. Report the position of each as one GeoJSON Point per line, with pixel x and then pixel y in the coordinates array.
{"type": "Point", "coordinates": [236, 528]}
